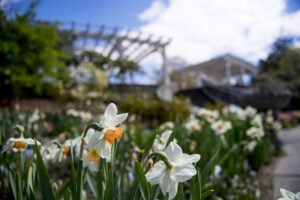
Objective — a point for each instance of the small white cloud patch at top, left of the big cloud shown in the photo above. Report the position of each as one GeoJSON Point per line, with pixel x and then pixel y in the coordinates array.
{"type": "Point", "coordinates": [154, 11]}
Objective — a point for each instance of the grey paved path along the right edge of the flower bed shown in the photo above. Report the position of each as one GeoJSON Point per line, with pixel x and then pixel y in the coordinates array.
{"type": "Point", "coordinates": [287, 171]}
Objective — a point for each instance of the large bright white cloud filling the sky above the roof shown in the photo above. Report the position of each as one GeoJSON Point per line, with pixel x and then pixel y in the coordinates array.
{"type": "Point", "coordinates": [203, 29]}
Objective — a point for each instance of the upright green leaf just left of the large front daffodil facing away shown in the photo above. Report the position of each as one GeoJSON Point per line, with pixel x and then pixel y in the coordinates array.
{"type": "Point", "coordinates": [142, 182]}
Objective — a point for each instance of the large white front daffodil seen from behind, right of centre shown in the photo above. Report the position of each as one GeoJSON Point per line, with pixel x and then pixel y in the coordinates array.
{"type": "Point", "coordinates": [182, 169]}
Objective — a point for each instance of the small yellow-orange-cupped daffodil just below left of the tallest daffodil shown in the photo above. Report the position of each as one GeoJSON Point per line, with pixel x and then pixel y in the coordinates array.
{"type": "Point", "coordinates": [91, 160]}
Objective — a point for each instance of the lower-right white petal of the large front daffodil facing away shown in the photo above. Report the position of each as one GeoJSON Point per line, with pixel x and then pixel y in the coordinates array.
{"type": "Point", "coordinates": [183, 173]}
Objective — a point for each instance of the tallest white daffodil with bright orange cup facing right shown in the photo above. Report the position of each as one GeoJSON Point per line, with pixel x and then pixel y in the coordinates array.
{"type": "Point", "coordinates": [104, 139]}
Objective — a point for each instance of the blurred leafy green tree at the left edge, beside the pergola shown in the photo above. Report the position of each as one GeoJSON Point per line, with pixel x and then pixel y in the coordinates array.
{"type": "Point", "coordinates": [31, 64]}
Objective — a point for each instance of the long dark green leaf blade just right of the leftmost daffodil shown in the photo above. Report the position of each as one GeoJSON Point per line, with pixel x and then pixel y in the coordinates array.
{"type": "Point", "coordinates": [44, 180]}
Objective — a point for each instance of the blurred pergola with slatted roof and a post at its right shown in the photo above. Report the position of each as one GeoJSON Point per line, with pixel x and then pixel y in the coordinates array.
{"type": "Point", "coordinates": [116, 42]}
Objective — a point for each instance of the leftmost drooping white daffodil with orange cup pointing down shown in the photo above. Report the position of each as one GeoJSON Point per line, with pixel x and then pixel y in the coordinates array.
{"type": "Point", "coordinates": [18, 144]}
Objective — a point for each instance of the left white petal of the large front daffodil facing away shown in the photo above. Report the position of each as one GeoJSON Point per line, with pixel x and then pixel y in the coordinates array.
{"type": "Point", "coordinates": [155, 175]}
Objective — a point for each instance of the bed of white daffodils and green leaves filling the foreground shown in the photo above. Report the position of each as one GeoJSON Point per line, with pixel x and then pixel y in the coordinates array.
{"type": "Point", "coordinates": [115, 158]}
